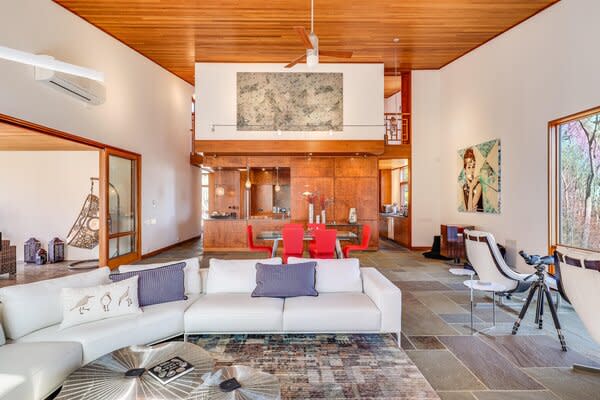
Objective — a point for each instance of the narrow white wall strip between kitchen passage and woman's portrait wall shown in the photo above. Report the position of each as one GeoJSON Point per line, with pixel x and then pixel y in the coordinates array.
{"type": "Point", "coordinates": [425, 168]}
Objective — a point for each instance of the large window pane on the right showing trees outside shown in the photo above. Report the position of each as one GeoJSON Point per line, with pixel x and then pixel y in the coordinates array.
{"type": "Point", "coordinates": [579, 183]}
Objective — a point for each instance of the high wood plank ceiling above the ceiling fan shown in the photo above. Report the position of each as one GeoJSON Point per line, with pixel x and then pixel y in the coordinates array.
{"type": "Point", "coordinates": [176, 33]}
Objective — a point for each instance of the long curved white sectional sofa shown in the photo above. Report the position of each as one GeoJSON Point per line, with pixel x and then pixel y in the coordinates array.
{"type": "Point", "coordinates": [37, 356]}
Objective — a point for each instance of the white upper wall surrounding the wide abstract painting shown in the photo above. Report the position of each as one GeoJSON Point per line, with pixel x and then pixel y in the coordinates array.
{"type": "Point", "coordinates": [216, 97]}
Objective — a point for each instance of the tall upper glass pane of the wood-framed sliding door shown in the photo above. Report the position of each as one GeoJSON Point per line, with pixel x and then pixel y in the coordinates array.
{"type": "Point", "coordinates": [122, 194]}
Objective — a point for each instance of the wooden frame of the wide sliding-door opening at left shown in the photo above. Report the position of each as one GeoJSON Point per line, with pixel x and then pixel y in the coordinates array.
{"type": "Point", "coordinates": [103, 178]}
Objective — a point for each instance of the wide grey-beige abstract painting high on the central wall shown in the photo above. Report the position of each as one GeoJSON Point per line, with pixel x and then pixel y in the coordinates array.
{"type": "Point", "coordinates": [269, 101]}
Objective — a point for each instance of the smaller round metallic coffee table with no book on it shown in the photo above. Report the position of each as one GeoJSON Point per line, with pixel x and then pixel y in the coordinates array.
{"type": "Point", "coordinates": [245, 383]}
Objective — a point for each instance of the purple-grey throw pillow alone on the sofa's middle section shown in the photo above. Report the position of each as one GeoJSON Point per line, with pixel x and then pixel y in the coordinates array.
{"type": "Point", "coordinates": [288, 280]}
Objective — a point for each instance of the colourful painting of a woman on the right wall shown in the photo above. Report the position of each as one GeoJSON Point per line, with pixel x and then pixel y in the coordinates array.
{"type": "Point", "coordinates": [479, 178]}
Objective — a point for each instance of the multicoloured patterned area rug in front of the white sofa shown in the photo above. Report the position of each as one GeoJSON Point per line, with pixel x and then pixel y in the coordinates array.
{"type": "Point", "coordinates": [325, 366]}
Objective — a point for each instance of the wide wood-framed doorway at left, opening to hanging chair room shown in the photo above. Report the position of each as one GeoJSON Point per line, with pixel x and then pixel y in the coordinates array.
{"type": "Point", "coordinates": [84, 192]}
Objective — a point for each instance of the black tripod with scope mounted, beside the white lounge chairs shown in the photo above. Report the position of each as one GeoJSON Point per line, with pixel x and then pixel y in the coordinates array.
{"type": "Point", "coordinates": [540, 286]}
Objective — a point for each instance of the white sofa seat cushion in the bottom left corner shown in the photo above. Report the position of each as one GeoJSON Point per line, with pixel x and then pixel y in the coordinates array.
{"type": "Point", "coordinates": [34, 370]}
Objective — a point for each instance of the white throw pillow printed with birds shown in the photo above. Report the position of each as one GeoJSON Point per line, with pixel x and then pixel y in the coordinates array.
{"type": "Point", "coordinates": [83, 305]}
